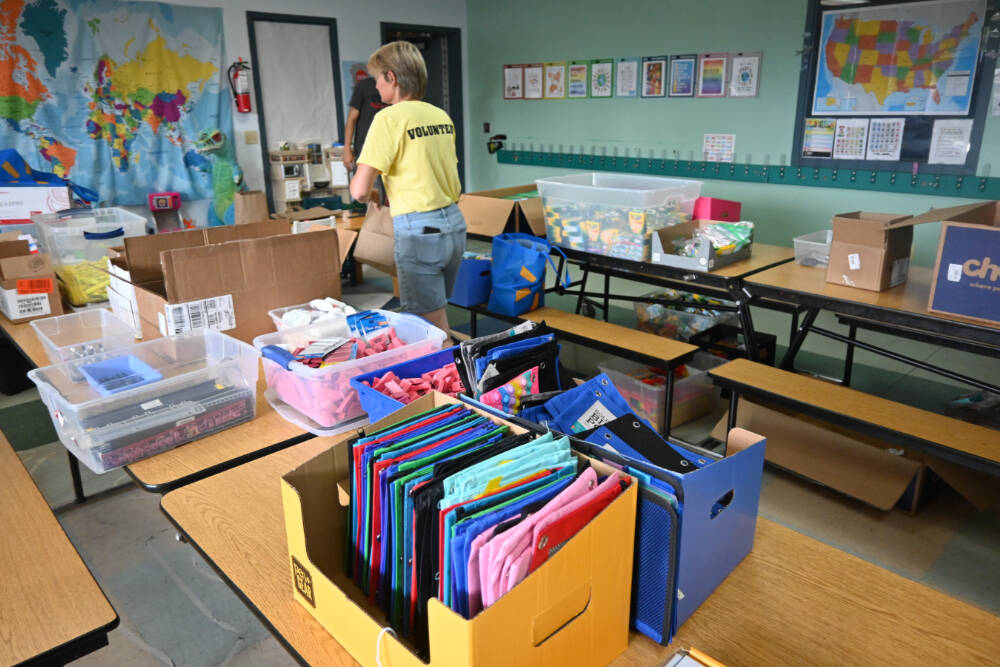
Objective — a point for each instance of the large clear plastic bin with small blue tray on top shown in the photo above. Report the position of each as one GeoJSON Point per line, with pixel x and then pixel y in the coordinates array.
{"type": "Point", "coordinates": [121, 406]}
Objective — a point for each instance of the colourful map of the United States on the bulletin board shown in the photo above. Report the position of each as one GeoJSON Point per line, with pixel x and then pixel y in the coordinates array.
{"type": "Point", "coordinates": [917, 58]}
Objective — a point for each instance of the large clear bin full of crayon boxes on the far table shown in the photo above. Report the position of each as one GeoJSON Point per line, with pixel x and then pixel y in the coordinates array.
{"type": "Point", "coordinates": [613, 214]}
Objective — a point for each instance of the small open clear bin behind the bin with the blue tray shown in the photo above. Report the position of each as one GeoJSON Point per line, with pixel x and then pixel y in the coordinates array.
{"type": "Point", "coordinates": [83, 334]}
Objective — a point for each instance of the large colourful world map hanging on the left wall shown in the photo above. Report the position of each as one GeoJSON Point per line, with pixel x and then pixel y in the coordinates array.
{"type": "Point", "coordinates": [112, 94]}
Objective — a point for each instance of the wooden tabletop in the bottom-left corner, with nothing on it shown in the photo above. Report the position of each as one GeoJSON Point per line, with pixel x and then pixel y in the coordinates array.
{"type": "Point", "coordinates": [51, 609]}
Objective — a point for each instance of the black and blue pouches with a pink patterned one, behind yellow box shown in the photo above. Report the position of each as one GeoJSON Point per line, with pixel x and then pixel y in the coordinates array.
{"type": "Point", "coordinates": [512, 369]}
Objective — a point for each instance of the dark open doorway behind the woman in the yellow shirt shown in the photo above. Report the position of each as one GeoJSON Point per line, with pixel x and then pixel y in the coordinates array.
{"type": "Point", "coordinates": [442, 51]}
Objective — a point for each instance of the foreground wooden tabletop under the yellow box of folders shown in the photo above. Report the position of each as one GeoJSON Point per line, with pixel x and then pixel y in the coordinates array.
{"type": "Point", "coordinates": [792, 601]}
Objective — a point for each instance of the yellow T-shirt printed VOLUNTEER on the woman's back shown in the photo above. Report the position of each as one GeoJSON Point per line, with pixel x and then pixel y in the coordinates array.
{"type": "Point", "coordinates": [413, 145]}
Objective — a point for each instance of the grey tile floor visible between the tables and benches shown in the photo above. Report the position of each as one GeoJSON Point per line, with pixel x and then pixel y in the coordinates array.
{"type": "Point", "coordinates": [175, 611]}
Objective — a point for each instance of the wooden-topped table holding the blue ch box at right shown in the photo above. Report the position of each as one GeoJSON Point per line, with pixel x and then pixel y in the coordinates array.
{"type": "Point", "coordinates": [901, 310]}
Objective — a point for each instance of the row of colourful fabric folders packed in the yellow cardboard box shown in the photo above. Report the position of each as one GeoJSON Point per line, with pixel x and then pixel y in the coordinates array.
{"type": "Point", "coordinates": [450, 504]}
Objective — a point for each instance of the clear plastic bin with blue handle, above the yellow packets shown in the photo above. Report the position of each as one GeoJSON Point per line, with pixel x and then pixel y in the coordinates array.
{"type": "Point", "coordinates": [85, 234]}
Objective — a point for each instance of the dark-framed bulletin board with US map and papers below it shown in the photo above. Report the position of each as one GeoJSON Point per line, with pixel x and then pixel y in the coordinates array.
{"type": "Point", "coordinates": [895, 86]}
